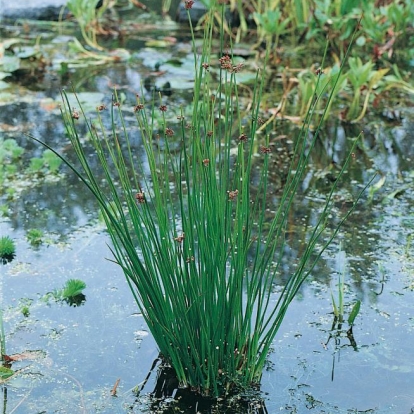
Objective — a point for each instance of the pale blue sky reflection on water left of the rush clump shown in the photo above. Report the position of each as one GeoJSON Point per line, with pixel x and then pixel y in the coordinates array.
{"type": "Point", "coordinates": [92, 345]}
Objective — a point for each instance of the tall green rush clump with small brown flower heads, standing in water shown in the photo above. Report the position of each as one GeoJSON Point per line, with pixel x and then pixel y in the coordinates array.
{"type": "Point", "coordinates": [188, 232]}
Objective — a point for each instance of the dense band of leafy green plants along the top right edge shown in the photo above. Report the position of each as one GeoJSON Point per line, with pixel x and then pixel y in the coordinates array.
{"type": "Point", "coordinates": [313, 22]}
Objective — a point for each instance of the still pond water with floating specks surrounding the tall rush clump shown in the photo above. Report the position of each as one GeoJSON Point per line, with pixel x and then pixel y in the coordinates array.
{"type": "Point", "coordinates": [83, 350]}
